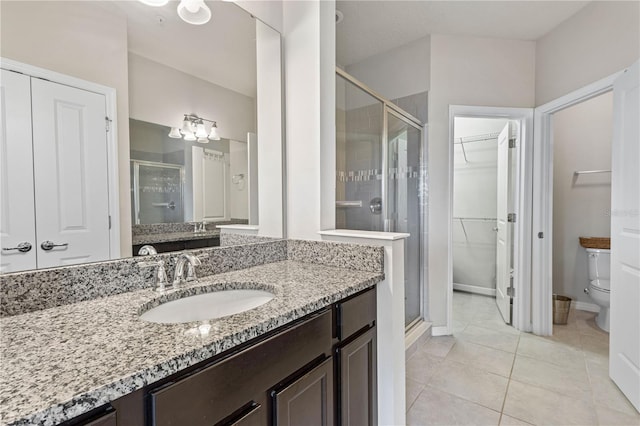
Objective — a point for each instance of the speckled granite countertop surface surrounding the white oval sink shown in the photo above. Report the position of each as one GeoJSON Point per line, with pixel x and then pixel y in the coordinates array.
{"type": "Point", "coordinates": [61, 362]}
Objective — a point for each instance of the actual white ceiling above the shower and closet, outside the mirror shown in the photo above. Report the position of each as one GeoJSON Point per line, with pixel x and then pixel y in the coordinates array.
{"type": "Point", "coordinates": [373, 27]}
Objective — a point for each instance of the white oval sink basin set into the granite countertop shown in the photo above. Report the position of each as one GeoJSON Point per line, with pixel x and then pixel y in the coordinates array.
{"type": "Point", "coordinates": [207, 306]}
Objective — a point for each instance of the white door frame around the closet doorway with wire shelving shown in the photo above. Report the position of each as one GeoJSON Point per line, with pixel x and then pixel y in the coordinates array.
{"type": "Point", "coordinates": [521, 317]}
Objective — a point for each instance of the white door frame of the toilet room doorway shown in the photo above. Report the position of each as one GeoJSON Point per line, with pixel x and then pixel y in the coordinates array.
{"type": "Point", "coordinates": [542, 236]}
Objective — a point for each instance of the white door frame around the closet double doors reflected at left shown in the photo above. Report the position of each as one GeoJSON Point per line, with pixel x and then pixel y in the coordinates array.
{"type": "Point", "coordinates": [112, 138]}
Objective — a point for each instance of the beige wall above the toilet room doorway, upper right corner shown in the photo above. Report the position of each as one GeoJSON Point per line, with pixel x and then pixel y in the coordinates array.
{"type": "Point", "coordinates": [601, 39]}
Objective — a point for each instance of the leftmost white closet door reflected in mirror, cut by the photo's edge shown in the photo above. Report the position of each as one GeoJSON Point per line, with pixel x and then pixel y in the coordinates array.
{"type": "Point", "coordinates": [17, 215]}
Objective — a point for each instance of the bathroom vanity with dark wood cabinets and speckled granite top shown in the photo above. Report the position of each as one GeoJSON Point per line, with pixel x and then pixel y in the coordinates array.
{"type": "Point", "coordinates": [307, 356]}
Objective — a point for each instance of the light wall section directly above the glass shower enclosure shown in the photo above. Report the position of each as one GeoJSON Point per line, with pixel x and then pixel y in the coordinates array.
{"type": "Point", "coordinates": [397, 73]}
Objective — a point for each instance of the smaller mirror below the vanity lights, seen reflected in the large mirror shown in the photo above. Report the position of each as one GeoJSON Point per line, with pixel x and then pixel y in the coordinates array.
{"type": "Point", "coordinates": [175, 180]}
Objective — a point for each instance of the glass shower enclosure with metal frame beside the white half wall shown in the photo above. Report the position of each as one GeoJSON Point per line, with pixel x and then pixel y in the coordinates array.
{"type": "Point", "coordinates": [380, 177]}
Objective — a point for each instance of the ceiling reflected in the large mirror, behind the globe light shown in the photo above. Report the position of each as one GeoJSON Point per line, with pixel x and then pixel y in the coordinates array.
{"type": "Point", "coordinates": [223, 51]}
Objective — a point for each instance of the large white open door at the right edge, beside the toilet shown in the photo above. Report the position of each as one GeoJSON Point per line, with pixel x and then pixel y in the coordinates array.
{"type": "Point", "coordinates": [624, 349]}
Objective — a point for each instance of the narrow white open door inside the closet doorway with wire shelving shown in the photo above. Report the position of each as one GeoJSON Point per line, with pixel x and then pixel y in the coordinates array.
{"type": "Point", "coordinates": [503, 239]}
